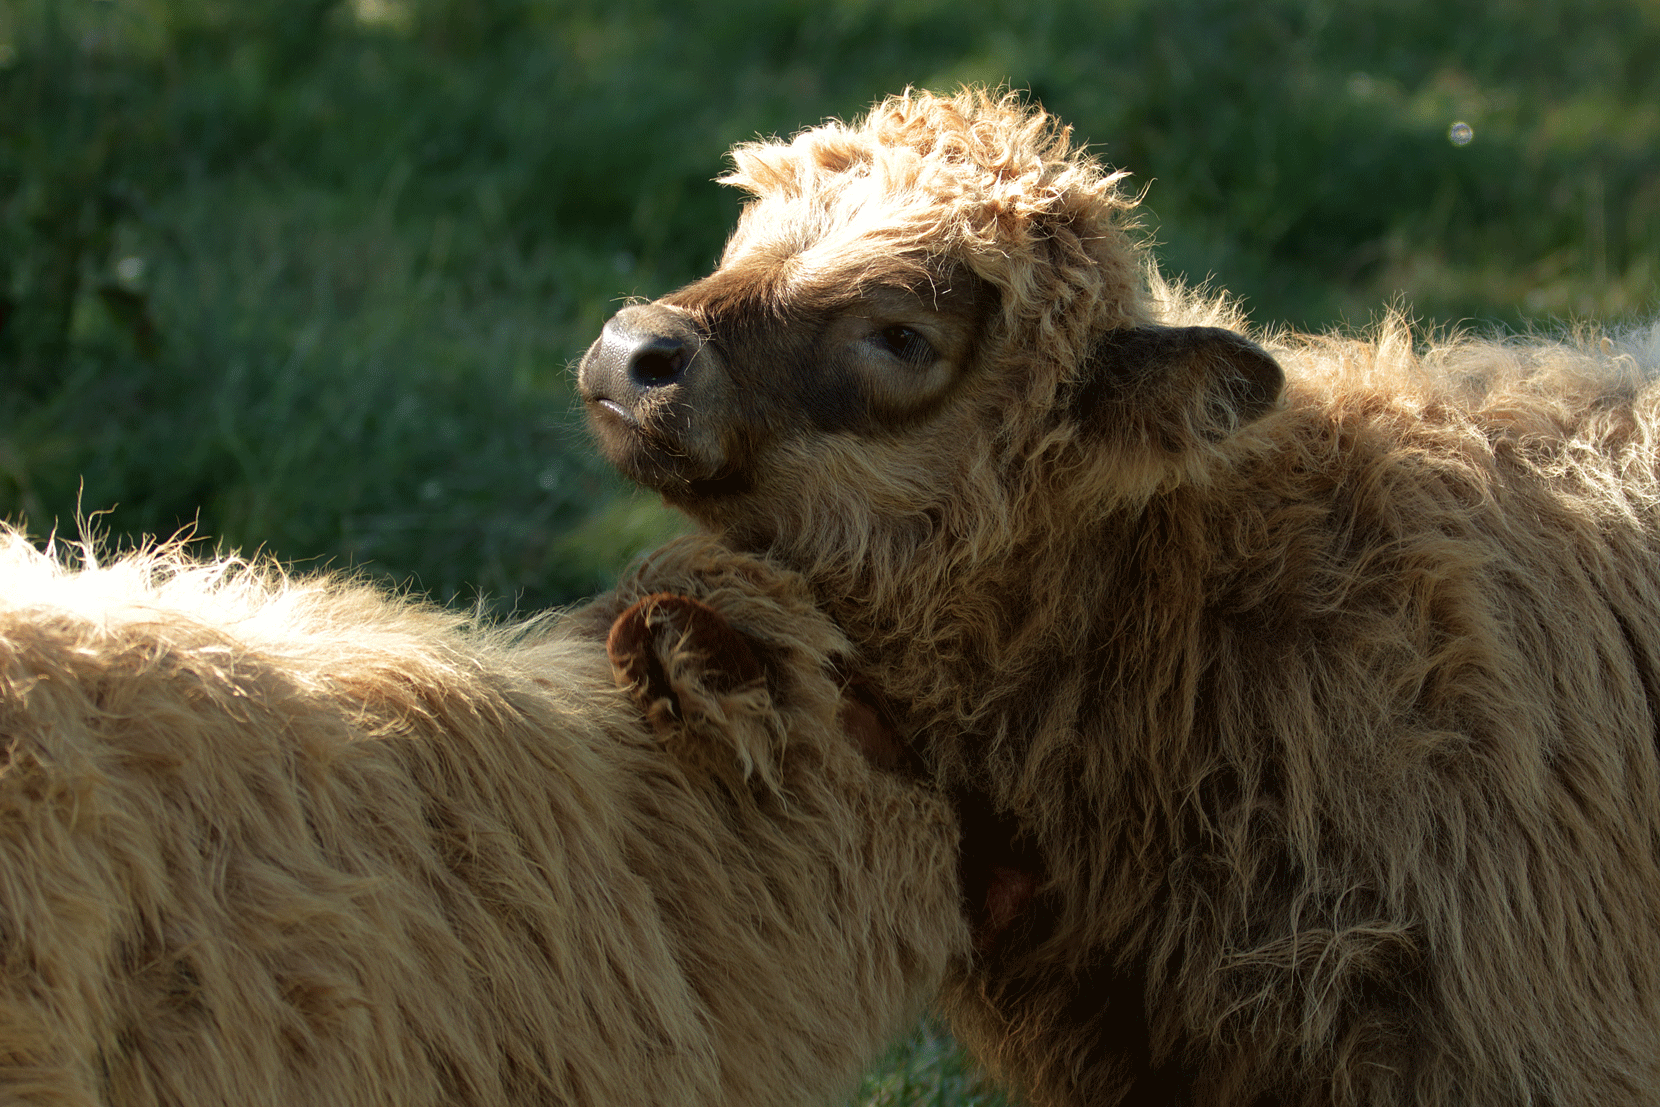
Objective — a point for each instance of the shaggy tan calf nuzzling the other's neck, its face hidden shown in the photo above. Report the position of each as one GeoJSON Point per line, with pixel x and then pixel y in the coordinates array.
{"type": "Point", "coordinates": [298, 842]}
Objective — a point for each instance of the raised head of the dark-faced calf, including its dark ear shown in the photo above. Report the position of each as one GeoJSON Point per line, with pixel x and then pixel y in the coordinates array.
{"type": "Point", "coordinates": [937, 298]}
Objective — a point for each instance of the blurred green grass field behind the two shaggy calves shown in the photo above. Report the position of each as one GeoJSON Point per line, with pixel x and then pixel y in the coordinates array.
{"type": "Point", "coordinates": [310, 275]}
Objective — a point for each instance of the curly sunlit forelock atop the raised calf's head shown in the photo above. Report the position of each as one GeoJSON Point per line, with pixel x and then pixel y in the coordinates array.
{"type": "Point", "coordinates": [977, 178]}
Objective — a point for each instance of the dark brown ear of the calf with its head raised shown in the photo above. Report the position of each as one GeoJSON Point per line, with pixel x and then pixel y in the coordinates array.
{"type": "Point", "coordinates": [1179, 386]}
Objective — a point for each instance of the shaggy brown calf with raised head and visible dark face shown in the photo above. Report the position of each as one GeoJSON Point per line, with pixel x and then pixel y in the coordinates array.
{"type": "Point", "coordinates": [1319, 705]}
